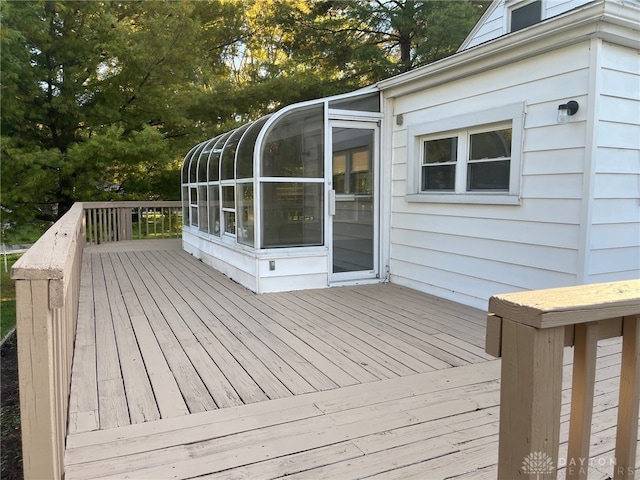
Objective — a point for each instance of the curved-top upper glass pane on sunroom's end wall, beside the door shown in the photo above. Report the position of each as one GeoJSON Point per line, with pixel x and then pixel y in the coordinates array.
{"type": "Point", "coordinates": [294, 145]}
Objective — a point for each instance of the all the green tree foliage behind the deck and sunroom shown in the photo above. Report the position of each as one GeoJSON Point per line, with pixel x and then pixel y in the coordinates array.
{"type": "Point", "coordinates": [101, 100]}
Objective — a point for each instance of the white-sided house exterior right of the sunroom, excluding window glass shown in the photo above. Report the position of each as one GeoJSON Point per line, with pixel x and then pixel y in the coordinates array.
{"type": "Point", "coordinates": [572, 214]}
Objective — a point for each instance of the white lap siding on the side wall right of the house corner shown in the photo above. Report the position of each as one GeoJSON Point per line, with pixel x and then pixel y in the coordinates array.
{"type": "Point", "coordinates": [615, 235]}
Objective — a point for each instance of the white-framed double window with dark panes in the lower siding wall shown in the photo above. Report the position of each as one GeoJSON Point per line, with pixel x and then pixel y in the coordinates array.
{"type": "Point", "coordinates": [468, 163]}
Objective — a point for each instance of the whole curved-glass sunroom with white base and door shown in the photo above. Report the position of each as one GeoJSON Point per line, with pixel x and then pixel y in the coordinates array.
{"type": "Point", "coordinates": [289, 201]}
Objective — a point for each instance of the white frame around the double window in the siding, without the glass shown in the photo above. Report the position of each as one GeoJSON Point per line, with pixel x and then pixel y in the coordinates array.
{"type": "Point", "coordinates": [462, 126]}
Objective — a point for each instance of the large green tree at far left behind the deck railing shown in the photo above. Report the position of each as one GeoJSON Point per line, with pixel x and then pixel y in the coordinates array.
{"type": "Point", "coordinates": [96, 97]}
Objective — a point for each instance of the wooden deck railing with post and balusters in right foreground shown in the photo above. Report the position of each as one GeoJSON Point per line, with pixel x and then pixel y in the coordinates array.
{"type": "Point", "coordinates": [529, 330]}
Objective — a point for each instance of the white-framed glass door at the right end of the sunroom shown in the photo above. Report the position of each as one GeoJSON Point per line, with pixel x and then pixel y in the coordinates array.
{"type": "Point", "coordinates": [353, 201]}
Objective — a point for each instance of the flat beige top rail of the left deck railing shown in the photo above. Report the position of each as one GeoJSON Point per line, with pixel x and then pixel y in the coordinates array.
{"type": "Point", "coordinates": [49, 257]}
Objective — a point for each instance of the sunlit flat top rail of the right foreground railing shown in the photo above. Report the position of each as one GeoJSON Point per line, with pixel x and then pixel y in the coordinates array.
{"type": "Point", "coordinates": [569, 305]}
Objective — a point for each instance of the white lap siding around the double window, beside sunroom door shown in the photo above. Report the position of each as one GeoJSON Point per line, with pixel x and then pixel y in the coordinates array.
{"type": "Point", "coordinates": [470, 252]}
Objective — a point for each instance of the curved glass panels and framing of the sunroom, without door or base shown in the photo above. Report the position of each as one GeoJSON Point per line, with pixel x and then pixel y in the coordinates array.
{"type": "Point", "coordinates": [267, 173]}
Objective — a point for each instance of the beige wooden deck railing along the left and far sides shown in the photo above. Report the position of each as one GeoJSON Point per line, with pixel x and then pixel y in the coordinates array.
{"type": "Point", "coordinates": [47, 296]}
